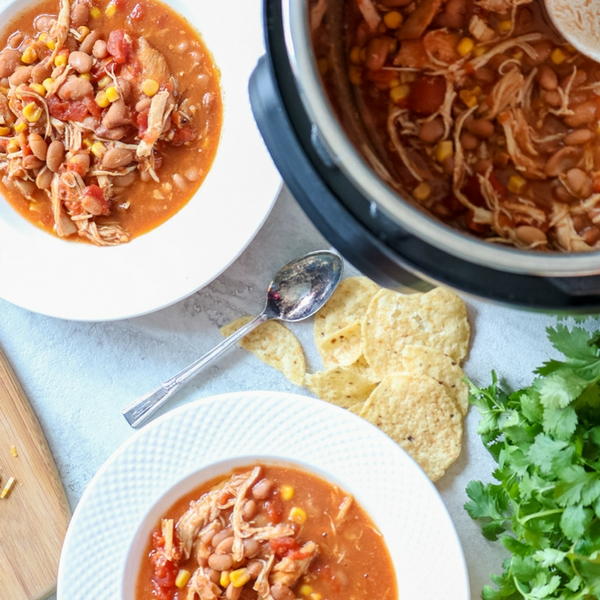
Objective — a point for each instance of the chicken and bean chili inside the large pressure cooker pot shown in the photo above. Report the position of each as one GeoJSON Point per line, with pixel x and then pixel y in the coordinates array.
{"type": "Point", "coordinates": [486, 117]}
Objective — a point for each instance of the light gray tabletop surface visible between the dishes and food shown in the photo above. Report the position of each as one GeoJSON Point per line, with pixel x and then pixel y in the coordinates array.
{"type": "Point", "coordinates": [79, 376]}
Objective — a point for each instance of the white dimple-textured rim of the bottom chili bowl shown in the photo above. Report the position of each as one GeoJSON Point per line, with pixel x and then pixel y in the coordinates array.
{"type": "Point", "coordinates": [181, 450]}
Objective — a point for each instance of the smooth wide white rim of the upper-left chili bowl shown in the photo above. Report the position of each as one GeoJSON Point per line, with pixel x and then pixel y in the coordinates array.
{"type": "Point", "coordinates": [83, 282]}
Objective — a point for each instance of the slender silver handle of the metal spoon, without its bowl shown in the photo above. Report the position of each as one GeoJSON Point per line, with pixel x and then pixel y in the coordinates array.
{"type": "Point", "coordinates": [139, 412]}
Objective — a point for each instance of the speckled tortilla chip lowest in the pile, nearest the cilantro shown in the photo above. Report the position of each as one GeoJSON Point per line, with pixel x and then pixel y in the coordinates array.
{"type": "Point", "coordinates": [417, 413]}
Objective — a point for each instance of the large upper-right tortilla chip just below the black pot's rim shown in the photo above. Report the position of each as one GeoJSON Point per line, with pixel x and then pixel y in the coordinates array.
{"type": "Point", "coordinates": [393, 321]}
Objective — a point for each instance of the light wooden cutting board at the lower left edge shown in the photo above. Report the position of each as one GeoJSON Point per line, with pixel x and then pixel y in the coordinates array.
{"type": "Point", "coordinates": [34, 518]}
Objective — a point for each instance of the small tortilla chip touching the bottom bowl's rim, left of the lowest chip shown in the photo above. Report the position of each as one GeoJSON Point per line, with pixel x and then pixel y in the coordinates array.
{"type": "Point", "coordinates": [343, 386]}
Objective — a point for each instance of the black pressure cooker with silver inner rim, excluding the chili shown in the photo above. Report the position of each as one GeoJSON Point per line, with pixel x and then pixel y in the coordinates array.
{"type": "Point", "coordinates": [387, 238]}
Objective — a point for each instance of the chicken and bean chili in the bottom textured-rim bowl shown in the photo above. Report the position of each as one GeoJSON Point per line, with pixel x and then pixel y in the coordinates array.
{"type": "Point", "coordinates": [271, 532]}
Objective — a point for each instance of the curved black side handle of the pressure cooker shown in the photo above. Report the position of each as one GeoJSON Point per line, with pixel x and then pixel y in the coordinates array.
{"type": "Point", "coordinates": [335, 222]}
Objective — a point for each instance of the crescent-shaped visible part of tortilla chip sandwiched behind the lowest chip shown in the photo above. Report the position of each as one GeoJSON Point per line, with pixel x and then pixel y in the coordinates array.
{"type": "Point", "coordinates": [432, 362]}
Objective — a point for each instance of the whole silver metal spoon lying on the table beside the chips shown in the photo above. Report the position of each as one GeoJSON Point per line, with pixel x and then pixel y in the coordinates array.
{"type": "Point", "coordinates": [297, 292]}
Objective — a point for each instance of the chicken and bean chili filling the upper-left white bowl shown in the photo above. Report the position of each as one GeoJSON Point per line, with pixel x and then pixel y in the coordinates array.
{"type": "Point", "coordinates": [110, 116]}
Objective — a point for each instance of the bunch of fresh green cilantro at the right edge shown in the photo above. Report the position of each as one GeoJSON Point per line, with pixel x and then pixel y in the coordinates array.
{"type": "Point", "coordinates": [544, 505]}
